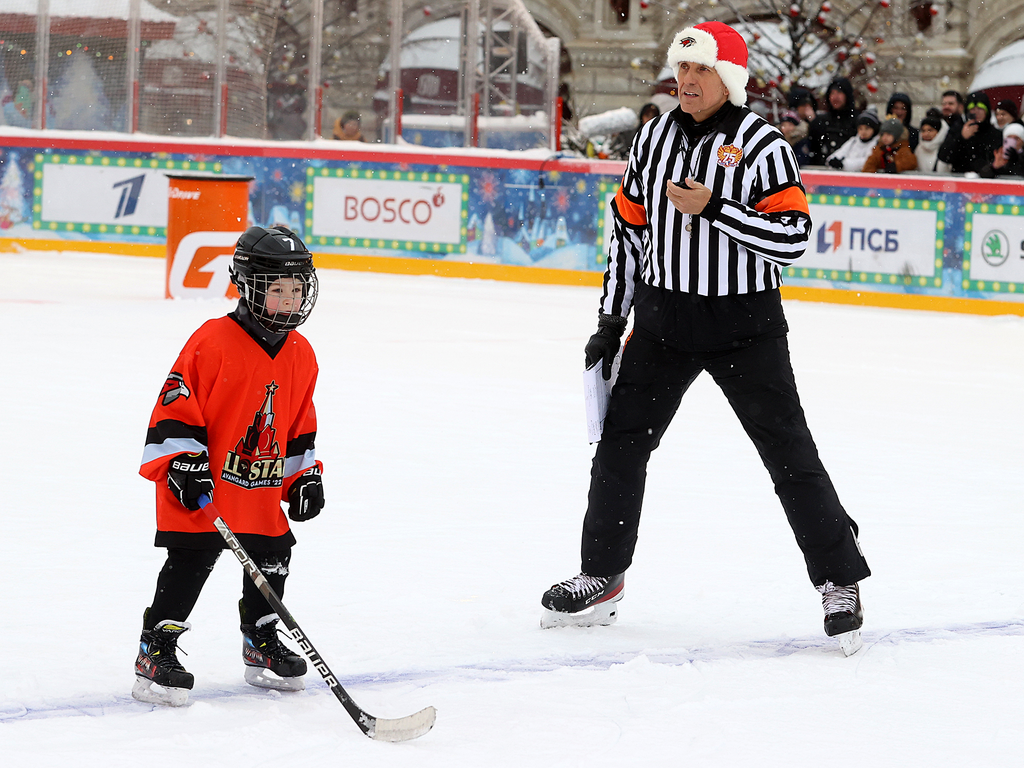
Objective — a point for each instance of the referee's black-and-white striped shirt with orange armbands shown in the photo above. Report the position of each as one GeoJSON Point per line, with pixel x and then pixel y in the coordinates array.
{"type": "Point", "coordinates": [756, 224]}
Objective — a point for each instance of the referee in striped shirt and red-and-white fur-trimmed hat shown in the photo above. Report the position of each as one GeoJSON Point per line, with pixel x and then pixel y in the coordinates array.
{"type": "Point", "coordinates": [710, 210]}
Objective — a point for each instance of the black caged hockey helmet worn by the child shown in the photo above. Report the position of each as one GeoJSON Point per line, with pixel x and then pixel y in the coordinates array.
{"type": "Point", "coordinates": [265, 257]}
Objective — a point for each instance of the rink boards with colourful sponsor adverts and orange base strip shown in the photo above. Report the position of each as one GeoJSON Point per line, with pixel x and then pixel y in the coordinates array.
{"type": "Point", "coordinates": [927, 242]}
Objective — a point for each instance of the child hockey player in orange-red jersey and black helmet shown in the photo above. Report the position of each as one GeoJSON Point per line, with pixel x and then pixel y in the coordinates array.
{"type": "Point", "coordinates": [235, 421]}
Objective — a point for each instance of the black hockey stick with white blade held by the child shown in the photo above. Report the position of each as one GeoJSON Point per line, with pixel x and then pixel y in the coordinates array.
{"type": "Point", "coordinates": [401, 730]}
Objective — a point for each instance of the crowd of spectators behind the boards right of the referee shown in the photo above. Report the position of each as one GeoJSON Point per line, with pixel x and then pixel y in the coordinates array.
{"type": "Point", "coordinates": [962, 136]}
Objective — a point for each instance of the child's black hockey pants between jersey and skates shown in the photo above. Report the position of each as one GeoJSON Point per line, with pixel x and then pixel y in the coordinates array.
{"type": "Point", "coordinates": [185, 575]}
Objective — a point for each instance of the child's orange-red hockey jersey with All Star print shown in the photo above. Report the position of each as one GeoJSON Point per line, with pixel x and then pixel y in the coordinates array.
{"type": "Point", "coordinates": [251, 409]}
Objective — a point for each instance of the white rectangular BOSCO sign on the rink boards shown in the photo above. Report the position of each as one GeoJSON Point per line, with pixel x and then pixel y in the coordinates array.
{"type": "Point", "coordinates": [375, 209]}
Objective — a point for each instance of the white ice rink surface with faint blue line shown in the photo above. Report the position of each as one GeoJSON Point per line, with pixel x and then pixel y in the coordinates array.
{"type": "Point", "coordinates": [456, 474]}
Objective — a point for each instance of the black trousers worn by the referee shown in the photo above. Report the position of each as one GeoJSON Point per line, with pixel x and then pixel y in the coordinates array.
{"type": "Point", "coordinates": [756, 376]}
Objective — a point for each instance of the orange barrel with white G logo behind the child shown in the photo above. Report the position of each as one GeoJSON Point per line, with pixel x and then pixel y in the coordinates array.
{"type": "Point", "coordinates": [206, 215]}
